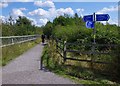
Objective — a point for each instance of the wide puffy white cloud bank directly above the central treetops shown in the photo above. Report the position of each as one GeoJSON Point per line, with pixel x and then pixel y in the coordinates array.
{"type": "Point", "coordinates": [45, 16]}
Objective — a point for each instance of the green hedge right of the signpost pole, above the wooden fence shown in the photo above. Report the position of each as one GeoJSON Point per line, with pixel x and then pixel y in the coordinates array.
{"type": "Point", "coordinates": [107, 34]}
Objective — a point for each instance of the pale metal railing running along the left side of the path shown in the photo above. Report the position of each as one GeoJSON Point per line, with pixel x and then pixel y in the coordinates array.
{"type": "Point", "coordinates": [11, 40]}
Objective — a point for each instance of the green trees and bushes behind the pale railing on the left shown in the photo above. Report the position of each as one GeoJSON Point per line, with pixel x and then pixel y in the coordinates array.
{"type": "Point", "coordinates": [23, 26]}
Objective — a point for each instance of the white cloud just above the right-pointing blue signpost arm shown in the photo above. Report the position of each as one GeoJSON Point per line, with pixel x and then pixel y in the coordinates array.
{"type": "Point", "coordinates": [106, 10]}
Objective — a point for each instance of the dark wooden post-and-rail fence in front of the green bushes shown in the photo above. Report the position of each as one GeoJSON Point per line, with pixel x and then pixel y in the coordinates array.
{"type": "Point", "coordinates": [64, 50]}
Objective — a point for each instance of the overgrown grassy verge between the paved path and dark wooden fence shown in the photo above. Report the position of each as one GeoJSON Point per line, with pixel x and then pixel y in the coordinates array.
{"type": "Point", "coordinates": [73, 70]}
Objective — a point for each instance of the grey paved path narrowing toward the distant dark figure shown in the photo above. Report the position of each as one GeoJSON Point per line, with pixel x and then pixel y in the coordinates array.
{"type": "Point", "coordinates": [25, 70]}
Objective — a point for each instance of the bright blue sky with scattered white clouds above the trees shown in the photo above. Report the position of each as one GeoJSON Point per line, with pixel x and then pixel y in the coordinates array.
{"type": "Point", "coordinates": [40, 12]}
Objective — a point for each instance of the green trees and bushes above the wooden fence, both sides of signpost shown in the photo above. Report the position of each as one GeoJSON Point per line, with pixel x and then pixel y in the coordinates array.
{"type": "Point", "coordinates": [73, 29]}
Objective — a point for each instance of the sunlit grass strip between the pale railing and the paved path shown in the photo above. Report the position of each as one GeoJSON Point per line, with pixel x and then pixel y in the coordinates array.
{"type": "Point", "coordinates": [11, 52]}
